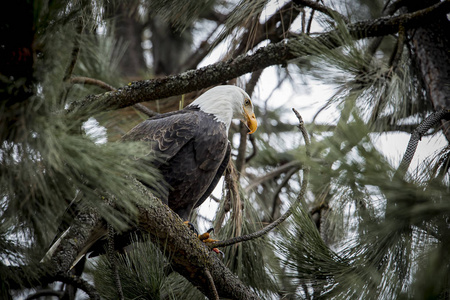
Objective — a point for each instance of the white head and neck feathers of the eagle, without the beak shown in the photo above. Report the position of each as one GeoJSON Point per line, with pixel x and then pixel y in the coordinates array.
{"type": "Point", "coordinates": [224, 102]}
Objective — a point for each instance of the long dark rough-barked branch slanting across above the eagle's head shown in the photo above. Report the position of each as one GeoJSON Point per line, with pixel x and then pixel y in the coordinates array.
{"type": "Point", "coordinates": [273, 54]}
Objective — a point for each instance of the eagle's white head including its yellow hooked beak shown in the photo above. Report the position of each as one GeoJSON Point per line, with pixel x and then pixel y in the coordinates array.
{"type": "Point", "coordinates": [227, 102]}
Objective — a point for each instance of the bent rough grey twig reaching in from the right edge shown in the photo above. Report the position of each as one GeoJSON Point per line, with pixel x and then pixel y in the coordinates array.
{"type": "Point", "coordinates": [416, 136]}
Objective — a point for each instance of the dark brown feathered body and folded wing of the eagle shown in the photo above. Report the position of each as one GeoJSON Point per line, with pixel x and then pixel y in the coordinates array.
{"type": "Point", "coordinates": [192, 150]}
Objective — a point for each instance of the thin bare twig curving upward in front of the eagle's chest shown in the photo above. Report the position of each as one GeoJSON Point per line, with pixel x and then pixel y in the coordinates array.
{"type": "Point", "coordinates": [281, 219]}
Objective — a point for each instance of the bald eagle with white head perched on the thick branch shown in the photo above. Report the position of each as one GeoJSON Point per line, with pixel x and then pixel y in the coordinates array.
{"type": "Point", "coordinates": [193, 150]}
